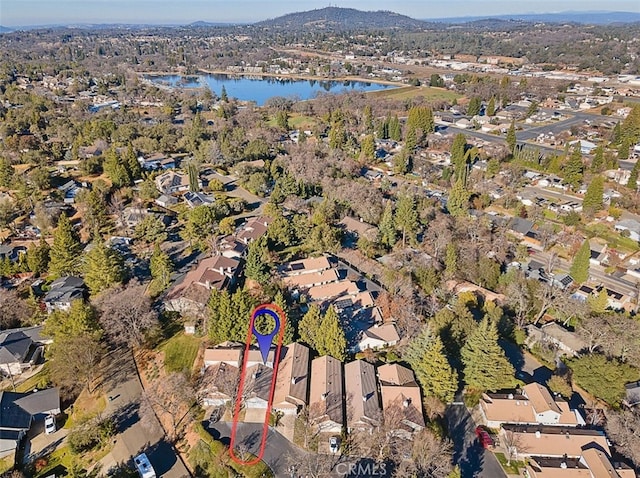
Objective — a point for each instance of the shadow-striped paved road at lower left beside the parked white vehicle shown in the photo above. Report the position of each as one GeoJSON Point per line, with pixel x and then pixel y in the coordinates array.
{"type": "Point", "coordinates": [134, 436]}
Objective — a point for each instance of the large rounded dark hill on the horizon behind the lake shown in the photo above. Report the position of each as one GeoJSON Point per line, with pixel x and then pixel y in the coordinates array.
{"type": "Point", "coordinates": [336, 18]}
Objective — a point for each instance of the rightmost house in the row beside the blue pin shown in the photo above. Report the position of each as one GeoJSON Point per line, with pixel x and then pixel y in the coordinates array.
{"type": "Point", "coordinates": [401, 400]}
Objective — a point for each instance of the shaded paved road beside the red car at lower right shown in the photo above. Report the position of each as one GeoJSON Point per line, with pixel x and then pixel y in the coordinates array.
{"type": "Point", "coordinates": [474, 461]}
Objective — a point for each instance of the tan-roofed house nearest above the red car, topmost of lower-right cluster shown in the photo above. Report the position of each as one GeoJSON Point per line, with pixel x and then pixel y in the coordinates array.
{"type": "Point", "coordinates": [532, 405]}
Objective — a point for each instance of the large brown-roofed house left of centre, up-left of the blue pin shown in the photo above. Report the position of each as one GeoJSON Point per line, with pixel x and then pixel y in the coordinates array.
{"type": "Point", "coordinates": [191, 295]}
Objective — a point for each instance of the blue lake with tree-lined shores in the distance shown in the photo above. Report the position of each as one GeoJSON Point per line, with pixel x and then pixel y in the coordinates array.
{"type": "Point", "coordinates": [260, 89]}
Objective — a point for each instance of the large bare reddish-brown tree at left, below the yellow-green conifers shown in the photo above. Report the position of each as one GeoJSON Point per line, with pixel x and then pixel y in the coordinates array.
{"type": "Point", "coordinates": [126, 314]}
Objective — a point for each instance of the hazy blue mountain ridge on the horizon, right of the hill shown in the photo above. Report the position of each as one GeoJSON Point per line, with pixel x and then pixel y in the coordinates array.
{"type": "Point", "coordinates": [592, 17]}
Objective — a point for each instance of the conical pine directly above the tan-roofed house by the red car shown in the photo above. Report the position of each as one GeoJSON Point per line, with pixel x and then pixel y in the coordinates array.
{"type": "Point", "coordinates": [486, 366]}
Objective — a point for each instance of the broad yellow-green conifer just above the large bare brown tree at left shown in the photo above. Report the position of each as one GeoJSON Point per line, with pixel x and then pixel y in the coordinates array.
{"type": "Point", "coordinates": [103, 267]}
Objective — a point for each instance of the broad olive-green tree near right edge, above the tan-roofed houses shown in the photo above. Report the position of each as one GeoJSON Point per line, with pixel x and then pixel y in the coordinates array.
{"type": "Point", "coordinates": [602, 377]}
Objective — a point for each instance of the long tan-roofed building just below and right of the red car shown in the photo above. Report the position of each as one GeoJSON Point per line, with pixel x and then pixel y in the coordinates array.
{"type": "Point", "coordinates": [555, 442]}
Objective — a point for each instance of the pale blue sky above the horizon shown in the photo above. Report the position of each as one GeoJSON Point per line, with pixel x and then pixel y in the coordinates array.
{"type": "Point", "coordinates": [48, 12]}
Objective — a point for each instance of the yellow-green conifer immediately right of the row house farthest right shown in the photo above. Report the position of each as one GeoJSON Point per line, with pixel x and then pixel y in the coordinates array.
{"type": "Point", "coordinates": [427, 358]}
